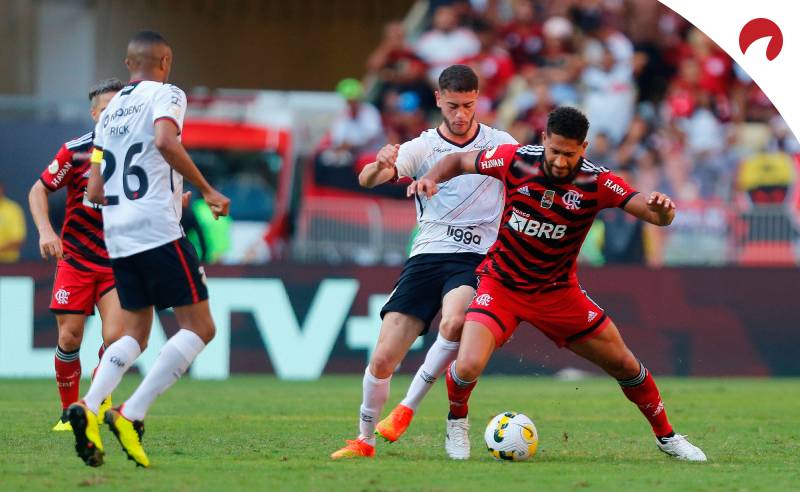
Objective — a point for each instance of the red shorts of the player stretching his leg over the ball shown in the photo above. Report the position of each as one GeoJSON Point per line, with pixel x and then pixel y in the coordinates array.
{"type": "Point", "coordinates": [565, 314]}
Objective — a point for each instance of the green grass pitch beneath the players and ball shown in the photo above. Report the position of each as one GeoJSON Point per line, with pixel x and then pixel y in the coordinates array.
{"type": "Point", "coordinates": [258, 433]}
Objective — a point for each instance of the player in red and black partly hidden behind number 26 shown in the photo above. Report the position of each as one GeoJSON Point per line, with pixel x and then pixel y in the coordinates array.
{"type": "Point", "coordinates": [83, 275]}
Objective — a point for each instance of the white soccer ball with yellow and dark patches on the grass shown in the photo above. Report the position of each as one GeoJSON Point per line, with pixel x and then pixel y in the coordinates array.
{"type": "Point", "coordinates": [511, 436]}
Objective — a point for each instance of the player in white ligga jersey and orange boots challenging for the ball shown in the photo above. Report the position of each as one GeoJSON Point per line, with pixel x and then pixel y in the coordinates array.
{"type": "Point", "coordinates": [456, 228]}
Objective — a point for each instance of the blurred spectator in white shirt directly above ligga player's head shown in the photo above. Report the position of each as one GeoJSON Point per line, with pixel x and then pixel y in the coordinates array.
{"type": "Point", "coordinates": [446, 43]}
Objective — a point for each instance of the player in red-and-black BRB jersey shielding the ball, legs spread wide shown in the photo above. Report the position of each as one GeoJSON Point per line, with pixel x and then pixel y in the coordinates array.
{"type": "Point", "coordinates": [552, 196]}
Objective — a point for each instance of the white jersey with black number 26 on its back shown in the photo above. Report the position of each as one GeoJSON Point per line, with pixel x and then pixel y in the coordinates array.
{"type": "Point", "coordinates": [143, 193]}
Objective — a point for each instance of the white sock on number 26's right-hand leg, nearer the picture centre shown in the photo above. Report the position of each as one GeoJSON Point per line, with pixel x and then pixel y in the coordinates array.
{"type": "Point", "coordinates": [173, 360]}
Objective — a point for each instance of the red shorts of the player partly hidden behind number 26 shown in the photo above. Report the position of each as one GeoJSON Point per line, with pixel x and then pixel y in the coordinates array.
{"type": "Point", "coordinates": [77, 291]}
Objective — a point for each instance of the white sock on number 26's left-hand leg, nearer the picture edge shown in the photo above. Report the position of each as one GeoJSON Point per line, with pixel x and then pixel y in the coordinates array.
{"type": "Point", "coordinates": [116, 360]}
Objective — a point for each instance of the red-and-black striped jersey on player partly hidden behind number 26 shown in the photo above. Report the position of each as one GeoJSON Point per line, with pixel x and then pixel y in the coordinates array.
{"type": "Point", "coordinates": [82, 232]}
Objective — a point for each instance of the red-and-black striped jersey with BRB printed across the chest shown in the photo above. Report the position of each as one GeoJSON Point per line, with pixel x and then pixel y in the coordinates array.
{"type": "Point", "coordinates": [544, 223]}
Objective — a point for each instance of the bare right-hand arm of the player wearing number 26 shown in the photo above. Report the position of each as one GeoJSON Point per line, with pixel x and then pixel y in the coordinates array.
{"type": "Point", "coordinates": [167, 142]}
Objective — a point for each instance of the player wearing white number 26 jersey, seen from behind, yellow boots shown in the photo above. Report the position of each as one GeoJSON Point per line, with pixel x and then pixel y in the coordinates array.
{"type": "Point", "coordinates": [137, 141]}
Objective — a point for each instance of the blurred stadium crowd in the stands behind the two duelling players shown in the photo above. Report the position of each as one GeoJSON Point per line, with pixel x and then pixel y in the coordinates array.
{"type": "Point", "coordinates": [668, 108]}
